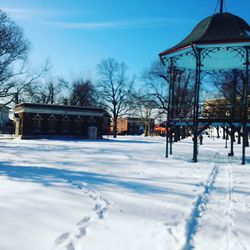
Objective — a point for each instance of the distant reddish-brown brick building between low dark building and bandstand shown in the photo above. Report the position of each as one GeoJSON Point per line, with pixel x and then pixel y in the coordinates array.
{"type": "Point", "coordinates": [132, 126]}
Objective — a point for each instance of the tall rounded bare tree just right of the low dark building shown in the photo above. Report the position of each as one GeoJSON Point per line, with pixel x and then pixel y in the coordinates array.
{"type": "Point", "coordinates": [114, 89]}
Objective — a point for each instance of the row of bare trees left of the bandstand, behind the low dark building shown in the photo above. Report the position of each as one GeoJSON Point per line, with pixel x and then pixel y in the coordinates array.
{"type": "Point", "coordinates": [114, 90]}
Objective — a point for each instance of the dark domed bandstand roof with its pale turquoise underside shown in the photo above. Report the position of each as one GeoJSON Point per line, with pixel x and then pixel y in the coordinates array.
{"type": "Point", "coordinates": [222, 35]}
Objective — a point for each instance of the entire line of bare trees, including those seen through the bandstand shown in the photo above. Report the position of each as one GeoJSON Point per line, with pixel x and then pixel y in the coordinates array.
{"type": "Point", "coordinates": [144, 96]}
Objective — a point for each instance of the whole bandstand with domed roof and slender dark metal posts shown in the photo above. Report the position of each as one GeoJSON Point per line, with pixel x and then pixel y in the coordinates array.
{"type": "Point", "coordinates": [219, 42]}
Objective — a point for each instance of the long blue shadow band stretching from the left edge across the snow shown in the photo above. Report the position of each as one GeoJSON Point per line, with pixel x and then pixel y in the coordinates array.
{"type": "Point", "coordinates": [54, 177]}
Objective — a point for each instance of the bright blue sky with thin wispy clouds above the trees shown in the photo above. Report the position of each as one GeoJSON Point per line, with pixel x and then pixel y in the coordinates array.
{"type": "Point", "coordinates": [77, 34]}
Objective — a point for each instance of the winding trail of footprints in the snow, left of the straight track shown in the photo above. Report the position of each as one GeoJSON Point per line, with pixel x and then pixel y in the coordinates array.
{"type": "Point", "coordinates": [68, 240]}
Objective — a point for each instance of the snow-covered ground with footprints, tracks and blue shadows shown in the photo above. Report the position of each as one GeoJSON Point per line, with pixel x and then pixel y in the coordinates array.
{"type": "Point", "coordinates": [122, 195]}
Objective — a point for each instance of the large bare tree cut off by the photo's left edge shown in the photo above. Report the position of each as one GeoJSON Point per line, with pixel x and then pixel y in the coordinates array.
{"type": "Point", "coordinates": [14, 48]}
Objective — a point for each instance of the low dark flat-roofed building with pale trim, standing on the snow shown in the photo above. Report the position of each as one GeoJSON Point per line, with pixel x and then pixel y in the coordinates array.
{"type": "Point", "coordinates": [43, 120]}
